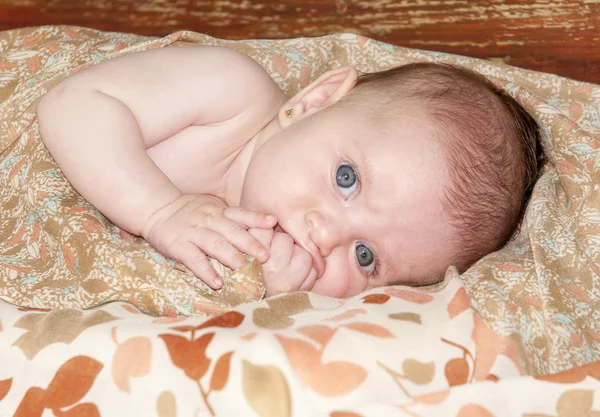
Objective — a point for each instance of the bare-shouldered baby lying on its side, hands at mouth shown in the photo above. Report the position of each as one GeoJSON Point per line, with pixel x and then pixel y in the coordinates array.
{"type": "Point", "coordinates": [355, 182]}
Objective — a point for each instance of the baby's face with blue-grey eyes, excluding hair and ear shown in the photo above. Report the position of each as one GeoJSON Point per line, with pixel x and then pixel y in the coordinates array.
{"type": "Point", "coordinates": [364, 201]}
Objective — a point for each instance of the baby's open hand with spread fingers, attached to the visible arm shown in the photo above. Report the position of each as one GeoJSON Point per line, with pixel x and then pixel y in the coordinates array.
{"type": "Point", "coordinates": [194, 226]}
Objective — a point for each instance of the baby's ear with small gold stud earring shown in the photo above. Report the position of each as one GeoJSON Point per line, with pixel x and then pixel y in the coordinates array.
{"type": "Point", "coordinates": [324, 91]}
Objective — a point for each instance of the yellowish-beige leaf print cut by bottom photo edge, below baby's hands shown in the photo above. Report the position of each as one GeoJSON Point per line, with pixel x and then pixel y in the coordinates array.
{"type": "Point", "coordinates": [266, 389]}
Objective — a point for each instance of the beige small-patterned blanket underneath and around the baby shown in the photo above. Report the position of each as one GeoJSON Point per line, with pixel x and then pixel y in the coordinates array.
{"type": "Point", "coordinates": [541, 290]}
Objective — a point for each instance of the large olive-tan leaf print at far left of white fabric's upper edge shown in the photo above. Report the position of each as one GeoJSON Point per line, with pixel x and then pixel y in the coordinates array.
{"type": "Point", "coordinates": [59, 326]}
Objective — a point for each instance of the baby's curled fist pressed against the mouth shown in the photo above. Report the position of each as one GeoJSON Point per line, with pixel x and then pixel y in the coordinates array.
{"type": "Point", "coordinates": [289, 268]}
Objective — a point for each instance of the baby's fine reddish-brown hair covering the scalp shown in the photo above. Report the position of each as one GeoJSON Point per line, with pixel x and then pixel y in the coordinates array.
{"type": "Point", "coordinates": [492, 145]}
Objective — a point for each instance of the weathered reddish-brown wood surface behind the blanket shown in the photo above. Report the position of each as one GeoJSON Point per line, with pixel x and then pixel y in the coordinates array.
{"type": "Point", "coordinates": [558, 36]}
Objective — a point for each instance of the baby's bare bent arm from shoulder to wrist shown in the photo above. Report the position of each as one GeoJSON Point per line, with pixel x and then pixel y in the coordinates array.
{"type": "Point", "coordinates": [98, 123]}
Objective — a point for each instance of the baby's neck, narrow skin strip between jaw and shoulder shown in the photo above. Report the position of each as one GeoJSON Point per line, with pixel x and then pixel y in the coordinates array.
{"type": "Point", "coordinates": [234, 179]}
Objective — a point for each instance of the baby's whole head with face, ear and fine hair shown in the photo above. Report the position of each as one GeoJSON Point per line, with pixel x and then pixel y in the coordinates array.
{"type": "Point", "coordinates": [396, 176]}
